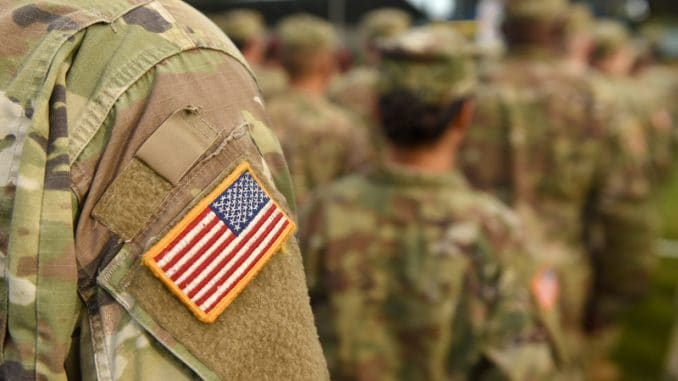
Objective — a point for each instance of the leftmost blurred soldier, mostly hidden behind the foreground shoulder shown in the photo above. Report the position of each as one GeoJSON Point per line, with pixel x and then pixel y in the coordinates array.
{"type": "Point", "coordinates": [247, 30]}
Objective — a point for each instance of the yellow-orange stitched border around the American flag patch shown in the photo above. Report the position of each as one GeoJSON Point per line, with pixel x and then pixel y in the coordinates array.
{"type": "Point", "coordinates": [226, 300]}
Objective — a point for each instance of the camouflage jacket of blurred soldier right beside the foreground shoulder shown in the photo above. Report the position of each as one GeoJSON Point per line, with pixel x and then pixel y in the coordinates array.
{"type": "Point", "coordinates": [319, 140]}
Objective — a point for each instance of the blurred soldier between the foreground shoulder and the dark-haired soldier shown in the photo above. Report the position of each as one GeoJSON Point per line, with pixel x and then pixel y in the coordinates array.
{"type": "Point", "coordinates": [319, 139]}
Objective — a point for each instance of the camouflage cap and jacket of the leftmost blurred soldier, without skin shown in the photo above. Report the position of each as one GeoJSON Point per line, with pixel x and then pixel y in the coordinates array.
{"type": "Point", "coordinates": [245, 25]}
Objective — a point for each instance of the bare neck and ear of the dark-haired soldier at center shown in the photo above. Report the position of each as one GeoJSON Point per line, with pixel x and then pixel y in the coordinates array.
{"type": "Point", "coordinates": [440, 156]}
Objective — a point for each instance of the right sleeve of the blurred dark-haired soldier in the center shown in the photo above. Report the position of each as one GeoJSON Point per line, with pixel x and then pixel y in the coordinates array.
{"type": "Point", "coordinates": [500, 309]}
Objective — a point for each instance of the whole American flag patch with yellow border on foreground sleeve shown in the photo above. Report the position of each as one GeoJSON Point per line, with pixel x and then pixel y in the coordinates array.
{"type": "Point", "coordinates": [211, 255]}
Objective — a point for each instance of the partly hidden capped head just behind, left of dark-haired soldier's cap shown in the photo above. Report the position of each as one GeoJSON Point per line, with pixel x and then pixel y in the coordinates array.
{"type": "Point", "coordinates": [381, 24]}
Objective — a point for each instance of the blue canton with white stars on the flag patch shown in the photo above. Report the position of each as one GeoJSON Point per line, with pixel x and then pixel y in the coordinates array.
{"type": "Point", "coordinates": [240, 203]}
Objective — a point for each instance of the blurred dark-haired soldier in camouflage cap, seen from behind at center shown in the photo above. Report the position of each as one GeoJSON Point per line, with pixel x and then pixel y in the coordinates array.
{"type": "Point", "coordinates": [413, 275]}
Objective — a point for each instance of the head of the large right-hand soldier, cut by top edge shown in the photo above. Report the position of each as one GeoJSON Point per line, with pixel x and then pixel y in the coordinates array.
{"type": "Point", "coordinates": [535, 23]}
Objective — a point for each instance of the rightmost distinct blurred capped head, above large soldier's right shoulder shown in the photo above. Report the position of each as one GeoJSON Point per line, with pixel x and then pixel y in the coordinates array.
{"type": "Point", "coordinates": [612, 51]}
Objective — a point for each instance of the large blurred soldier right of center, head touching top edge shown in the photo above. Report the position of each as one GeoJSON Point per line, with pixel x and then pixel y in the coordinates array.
{"type": "Point", "coordinates": [543, 143]}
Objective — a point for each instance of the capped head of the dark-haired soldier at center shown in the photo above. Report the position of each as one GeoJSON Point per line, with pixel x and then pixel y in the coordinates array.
{"type": "Point", "coordinates": [427, 82]}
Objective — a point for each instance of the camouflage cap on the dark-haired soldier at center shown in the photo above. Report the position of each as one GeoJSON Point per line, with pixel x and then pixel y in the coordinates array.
{"type": "Point", "coordinates": [434, 63]}
